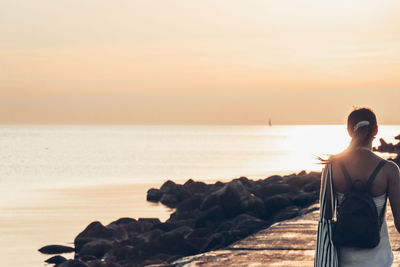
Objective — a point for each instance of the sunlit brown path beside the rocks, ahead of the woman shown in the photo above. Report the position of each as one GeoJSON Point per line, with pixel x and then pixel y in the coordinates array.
{"type": "Point", "coordinates": [288, 243]}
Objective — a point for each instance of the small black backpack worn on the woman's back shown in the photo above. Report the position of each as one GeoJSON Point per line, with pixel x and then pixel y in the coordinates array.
{"type": "Point", "coordinates": [358, 223]}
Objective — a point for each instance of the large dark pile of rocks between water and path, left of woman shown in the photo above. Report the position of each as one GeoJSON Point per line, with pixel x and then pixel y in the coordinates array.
{"type": "Point", "coordinates": [206, 217]}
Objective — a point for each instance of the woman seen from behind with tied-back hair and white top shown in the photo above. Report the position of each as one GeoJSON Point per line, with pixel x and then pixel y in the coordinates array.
{"type": "Point", "coordinates": [359, 162]}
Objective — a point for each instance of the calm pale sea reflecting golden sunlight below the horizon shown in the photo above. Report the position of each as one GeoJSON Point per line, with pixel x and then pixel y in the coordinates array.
{"type": "Point", "coordinates": [56, 179]}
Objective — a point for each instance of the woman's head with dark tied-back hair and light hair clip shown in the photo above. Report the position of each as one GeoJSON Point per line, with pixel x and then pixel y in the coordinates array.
{"type": "Point", "coordinates": [362, 127]}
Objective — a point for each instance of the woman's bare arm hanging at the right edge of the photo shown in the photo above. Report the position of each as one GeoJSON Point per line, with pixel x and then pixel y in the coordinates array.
{"type": "Point", "coordinates": [394, 192]}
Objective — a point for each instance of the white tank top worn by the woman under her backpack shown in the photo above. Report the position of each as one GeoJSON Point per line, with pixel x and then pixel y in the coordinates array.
{"type": "Point", "coordinates": [379, 256]}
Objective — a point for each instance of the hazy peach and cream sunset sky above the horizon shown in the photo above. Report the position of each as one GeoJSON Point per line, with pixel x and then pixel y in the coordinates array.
{"type": "Point", "coordinates": [198, 62]}
